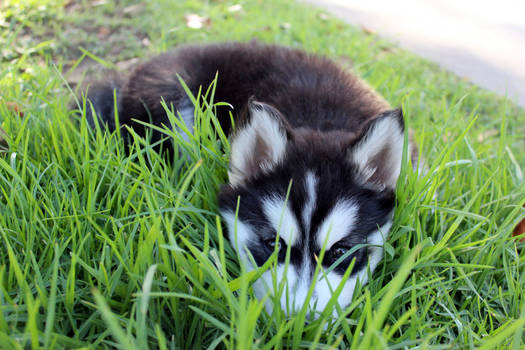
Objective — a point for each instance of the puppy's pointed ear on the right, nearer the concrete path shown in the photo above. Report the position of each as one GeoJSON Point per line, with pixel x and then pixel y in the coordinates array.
{"type": "Point", "coordinates": [378, 154]}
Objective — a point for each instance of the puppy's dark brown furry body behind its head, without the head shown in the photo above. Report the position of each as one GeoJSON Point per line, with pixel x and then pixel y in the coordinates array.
{"type": "Point", "coordinates": [315, 93]}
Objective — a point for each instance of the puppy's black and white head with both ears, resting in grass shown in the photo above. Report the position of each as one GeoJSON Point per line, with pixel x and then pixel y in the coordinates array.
{"type": "Point", "coordinates": [318, 201]}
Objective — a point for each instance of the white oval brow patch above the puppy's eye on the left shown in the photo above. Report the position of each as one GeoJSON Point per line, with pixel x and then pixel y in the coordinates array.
{"type": "Point", "coordinates": [282, 219]}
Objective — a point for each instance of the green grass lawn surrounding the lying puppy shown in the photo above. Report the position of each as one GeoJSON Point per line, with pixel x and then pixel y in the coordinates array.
{"type": "Point", "coordinates": [102, 250]}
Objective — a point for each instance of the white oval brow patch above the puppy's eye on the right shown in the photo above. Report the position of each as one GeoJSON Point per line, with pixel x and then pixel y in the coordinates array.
{"type": "Point", "coordinates": [337, 224]}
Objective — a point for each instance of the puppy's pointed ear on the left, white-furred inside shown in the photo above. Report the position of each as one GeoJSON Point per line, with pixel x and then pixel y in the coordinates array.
{"type": "Point", "coordinates": [259, 145]}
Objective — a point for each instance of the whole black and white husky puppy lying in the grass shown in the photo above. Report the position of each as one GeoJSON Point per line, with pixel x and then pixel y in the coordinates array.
{"type": "Point", "coordinates": [300, 120]}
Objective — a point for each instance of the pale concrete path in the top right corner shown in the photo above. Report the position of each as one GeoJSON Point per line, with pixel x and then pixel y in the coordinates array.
{"type": "Point", "coordinates": [482, 40]}
